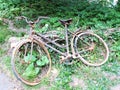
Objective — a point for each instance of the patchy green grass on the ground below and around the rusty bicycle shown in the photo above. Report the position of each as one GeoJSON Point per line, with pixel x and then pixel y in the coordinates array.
{"type": "Point", "coordinates": [90, 78]}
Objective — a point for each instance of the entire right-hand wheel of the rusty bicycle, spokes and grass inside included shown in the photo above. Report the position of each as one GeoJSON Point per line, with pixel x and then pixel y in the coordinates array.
{"type": "Point", "coordinates": [91, 49]}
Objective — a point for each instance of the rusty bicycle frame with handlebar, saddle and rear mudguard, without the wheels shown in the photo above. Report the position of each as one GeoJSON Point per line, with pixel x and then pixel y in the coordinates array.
{"type": "Point", "coordinates": [52, 43]}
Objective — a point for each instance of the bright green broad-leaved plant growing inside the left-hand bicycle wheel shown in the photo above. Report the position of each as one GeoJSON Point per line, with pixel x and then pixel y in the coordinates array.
{"type": "Point", "coordinates": [31, 70]}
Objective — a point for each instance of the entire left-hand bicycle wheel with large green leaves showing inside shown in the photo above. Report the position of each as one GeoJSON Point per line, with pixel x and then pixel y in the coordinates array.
{"type": "Point", "coordinates": [31, 62]}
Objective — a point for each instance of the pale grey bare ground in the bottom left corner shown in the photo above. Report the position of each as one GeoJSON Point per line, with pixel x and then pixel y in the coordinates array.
{"type": "Point", "coordinates": [7, 79]}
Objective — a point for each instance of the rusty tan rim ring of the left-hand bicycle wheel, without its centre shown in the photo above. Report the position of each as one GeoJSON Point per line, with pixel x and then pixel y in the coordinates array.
{"type": "Point", "coordinates": [15, 69]}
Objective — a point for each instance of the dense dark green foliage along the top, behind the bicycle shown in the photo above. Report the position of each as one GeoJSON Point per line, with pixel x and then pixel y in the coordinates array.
{"type": "Point", "coordinates": [100, 14]}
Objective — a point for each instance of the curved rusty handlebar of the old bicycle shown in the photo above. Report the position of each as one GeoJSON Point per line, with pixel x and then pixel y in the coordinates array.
{"type": "Point", "coordinates": [36, 21]}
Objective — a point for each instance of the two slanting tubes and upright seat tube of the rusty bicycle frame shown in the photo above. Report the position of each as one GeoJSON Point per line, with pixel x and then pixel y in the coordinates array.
{"type": "Point", "coordinates": [66, 47]}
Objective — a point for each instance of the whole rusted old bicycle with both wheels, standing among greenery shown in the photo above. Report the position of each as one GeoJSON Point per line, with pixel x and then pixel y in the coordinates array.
{"type": "Point", "coordinates": [31, 61]}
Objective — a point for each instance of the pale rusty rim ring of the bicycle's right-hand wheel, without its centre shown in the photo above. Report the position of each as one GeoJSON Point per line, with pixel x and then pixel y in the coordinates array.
{"type": "Point", "coordinates": [83, 59]}
